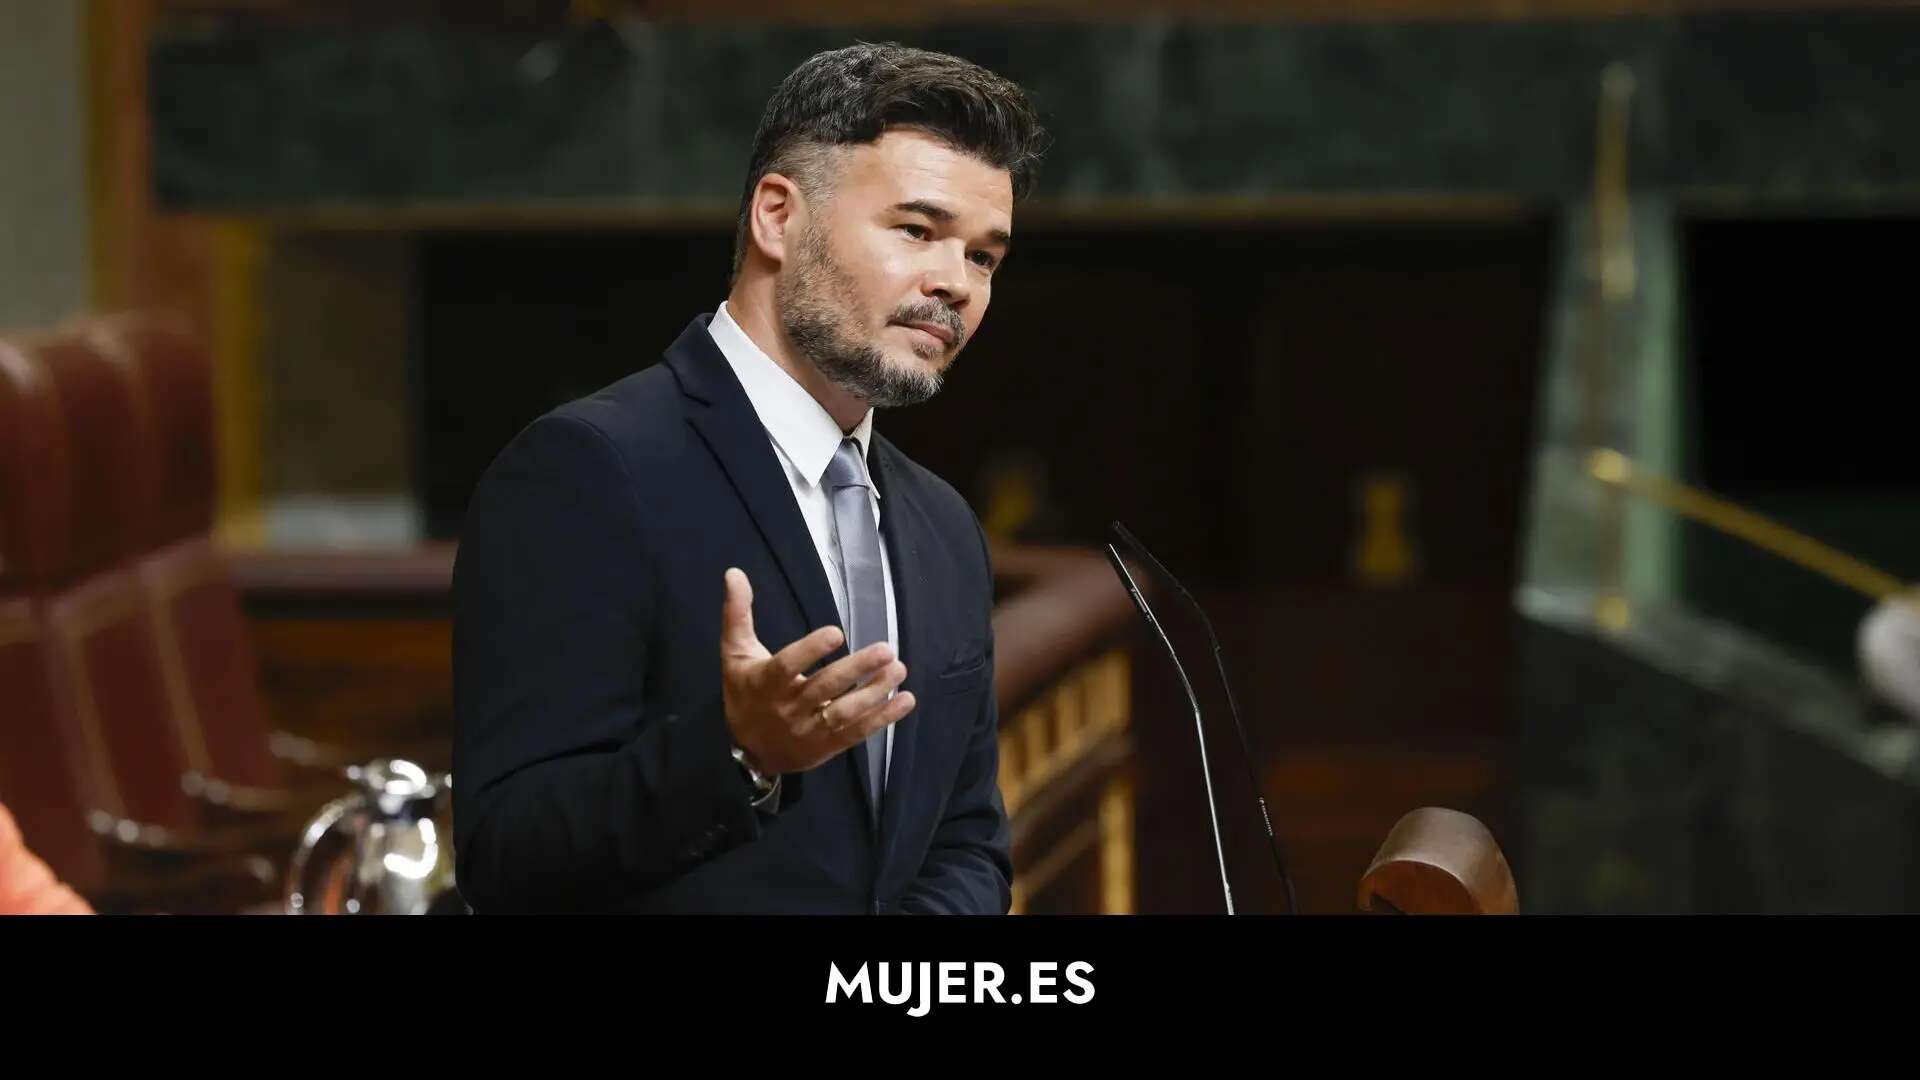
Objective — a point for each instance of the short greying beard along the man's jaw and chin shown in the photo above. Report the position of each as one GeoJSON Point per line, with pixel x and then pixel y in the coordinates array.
{"type": "Point", "coordinates": [821, 314]}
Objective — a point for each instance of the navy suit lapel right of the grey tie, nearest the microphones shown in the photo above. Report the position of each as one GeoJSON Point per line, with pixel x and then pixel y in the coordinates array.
{"type": "Point", "coordinates": [907, 535]}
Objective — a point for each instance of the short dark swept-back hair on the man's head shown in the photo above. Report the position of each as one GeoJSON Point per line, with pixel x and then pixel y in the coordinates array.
{"type": "Point", "coordinates": [859, 93]}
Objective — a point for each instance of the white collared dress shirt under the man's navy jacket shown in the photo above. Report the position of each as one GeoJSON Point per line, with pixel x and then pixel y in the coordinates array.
{"type": "Point", "coordinates": [805, 439]}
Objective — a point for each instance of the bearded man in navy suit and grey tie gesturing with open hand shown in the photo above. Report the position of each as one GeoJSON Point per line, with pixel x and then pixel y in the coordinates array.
{"type": "Point", "coordinates": [719, 645]}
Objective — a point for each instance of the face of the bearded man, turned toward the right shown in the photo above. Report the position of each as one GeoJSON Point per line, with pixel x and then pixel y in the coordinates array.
{"type": "Point", "coordinates": [892, 276]}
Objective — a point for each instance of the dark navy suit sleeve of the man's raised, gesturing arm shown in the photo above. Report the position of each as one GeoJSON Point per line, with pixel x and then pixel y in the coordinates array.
{"type": "Point", "coordinates": [569, 791]}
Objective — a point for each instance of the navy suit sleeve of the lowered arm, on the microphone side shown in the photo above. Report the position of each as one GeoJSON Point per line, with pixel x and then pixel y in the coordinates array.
{"type": "Point", "coordinates": [971, 868]}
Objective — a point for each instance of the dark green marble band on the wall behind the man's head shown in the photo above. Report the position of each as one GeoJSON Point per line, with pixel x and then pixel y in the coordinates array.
{"type": "Point", "coordinates": [1762, 107]}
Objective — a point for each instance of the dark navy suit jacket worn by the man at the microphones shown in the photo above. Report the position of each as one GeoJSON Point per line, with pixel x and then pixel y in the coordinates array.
{"type": "Point", "coordinates": [592, 760]}
